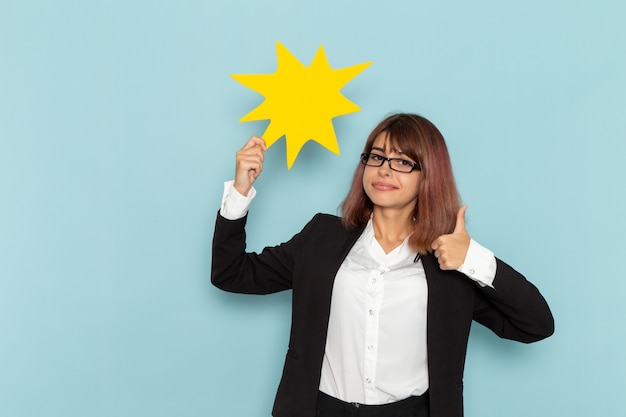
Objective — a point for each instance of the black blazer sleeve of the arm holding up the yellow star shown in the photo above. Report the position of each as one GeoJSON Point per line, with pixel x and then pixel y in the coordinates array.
{"type": "Point", "coordinates": [234, 270]}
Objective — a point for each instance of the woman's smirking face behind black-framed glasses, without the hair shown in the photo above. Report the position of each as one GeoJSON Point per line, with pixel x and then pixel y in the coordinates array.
{"type": "Point", "coordinates": [387, 188]}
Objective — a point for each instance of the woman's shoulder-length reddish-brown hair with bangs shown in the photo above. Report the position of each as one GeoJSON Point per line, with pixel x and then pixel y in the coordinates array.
{"type": "Point", "coordinates": [438, 200]}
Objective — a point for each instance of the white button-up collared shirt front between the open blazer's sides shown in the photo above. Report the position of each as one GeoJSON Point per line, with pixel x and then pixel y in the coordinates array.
{"type": "Point", "coordinates": [376, 341]}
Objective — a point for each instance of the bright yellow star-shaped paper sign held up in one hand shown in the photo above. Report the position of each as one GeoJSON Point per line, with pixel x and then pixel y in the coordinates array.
{"type": "Point", "coordinates": [300, 101]}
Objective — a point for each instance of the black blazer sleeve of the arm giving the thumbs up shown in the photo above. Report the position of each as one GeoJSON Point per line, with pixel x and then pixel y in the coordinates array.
{"type": "Point", "coordinates": [514, 308]}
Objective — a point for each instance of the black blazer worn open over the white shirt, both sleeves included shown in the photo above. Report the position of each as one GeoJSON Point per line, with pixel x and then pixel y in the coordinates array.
{"type": "Point", "coordinates": [308, 263]}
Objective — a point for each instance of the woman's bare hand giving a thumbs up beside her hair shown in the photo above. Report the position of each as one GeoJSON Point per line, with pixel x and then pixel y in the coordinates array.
{"type": "Point", "coordinates": [451, 249]}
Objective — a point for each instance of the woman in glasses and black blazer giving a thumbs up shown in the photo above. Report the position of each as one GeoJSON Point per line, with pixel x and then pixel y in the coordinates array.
{"type": "Point", "coordinates": [383, 297]}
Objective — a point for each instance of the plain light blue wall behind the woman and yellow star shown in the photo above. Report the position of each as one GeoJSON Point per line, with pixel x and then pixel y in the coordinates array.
{"type": "Point", "coordinates": [119, 123]}
